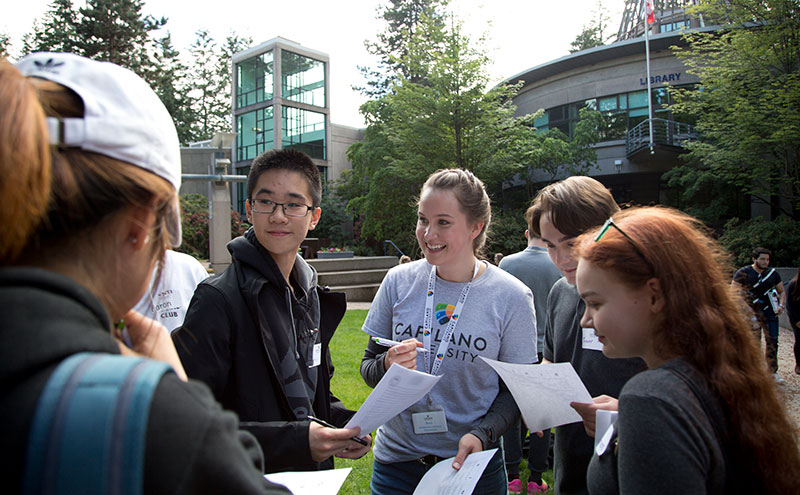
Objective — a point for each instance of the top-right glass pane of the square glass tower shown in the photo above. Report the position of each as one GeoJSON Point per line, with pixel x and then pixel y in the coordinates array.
{"type": "Point", "coordinates": [302, 79]}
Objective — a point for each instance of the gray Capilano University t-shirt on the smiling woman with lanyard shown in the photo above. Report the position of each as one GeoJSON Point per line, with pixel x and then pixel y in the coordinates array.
{"type": "Point", "coordinates": [497, 322]}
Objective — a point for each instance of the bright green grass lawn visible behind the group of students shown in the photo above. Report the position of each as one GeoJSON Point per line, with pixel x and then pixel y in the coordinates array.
{"type": "Point", "coordinates": [347, 348]}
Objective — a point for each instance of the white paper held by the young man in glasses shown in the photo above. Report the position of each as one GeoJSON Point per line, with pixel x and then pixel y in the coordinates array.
{"type": "Point", "coordinates": [398, 389]}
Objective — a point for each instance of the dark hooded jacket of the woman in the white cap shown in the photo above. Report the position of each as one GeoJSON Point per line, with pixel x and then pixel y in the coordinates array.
{"type": "Point", "coordinates": [192, 445]}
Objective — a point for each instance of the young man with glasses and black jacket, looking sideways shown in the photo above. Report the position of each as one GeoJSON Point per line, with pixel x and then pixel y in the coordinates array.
{"type": "Point", "coordinates": [258, 334]}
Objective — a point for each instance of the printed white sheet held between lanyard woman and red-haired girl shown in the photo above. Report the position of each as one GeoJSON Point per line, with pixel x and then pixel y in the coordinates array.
{"type": "Point", "coordinates": [543, 392]}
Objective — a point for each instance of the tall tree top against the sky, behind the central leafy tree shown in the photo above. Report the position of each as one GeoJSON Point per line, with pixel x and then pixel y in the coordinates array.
{"type": "Point", "coordinates": [403, 19]}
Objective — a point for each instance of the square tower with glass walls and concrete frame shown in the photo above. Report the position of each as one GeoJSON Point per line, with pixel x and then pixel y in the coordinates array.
{"type": "Point", "coordinates": [280, 101]}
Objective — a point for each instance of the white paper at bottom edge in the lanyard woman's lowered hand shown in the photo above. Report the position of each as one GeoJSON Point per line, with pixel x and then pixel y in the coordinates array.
{"type": "Point", "coordinates": [442, 479]}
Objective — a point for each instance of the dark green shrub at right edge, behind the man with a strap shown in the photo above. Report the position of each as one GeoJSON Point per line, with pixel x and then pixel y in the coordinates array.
{"type": "Point", "coordinates": [781, 236]}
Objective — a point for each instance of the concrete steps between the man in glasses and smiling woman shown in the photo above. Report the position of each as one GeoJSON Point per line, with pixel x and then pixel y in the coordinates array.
{"type": "Point", "coordinates": [359, 277]}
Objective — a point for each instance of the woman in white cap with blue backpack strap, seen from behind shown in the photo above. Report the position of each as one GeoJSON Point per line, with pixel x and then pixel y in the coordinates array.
{"type": "Point", "coordinates": [88, 216]}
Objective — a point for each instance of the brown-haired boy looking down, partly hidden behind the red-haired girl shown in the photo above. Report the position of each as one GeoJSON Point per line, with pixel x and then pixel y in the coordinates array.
{"type": "Point", "coordinates": [559, 214]}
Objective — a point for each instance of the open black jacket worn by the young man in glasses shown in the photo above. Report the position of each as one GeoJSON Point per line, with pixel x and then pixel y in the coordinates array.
{"type": "Point", "coordinates": [228, 340]}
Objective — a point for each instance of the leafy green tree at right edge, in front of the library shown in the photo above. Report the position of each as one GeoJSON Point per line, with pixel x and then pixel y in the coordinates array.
{"type": "Point", "coordinates": [747, 113]}
